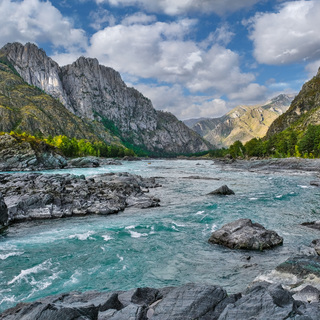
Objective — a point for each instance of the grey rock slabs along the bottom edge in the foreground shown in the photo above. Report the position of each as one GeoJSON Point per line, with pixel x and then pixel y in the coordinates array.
{"type": "Point", "coordinates": [191, 301]}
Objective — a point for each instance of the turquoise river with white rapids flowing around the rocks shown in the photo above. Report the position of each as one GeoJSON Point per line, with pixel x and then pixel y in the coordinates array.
{"type": "Point", "coordinates": [164, 246]}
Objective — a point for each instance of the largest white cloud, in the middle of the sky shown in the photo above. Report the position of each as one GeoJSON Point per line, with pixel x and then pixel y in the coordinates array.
{"type": "Point", "coordinates": [162, 51]}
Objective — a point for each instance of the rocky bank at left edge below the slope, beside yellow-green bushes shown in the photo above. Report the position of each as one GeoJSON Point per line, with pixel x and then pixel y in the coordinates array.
{"type": "Point", "coordinates": [18, 155]}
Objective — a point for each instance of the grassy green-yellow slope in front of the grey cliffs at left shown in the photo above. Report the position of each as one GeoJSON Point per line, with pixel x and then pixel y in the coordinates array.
{"type": "Point", "coordinates": [26, 108]}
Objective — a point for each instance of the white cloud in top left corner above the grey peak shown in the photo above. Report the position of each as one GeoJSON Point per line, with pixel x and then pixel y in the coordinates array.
{"type": "Point", "coordinates": [38, 21]}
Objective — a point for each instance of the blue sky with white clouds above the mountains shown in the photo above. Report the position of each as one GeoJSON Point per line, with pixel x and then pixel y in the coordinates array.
{"type": "Point", "coordinates": [194, 58]}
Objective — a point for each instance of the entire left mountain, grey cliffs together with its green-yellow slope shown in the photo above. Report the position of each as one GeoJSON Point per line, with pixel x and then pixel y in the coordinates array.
{"type": "Point", "coordinates": [84, 99]}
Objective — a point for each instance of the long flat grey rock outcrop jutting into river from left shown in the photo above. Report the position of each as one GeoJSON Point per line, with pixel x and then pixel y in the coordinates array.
{"type": "Point", "coordinates": [31, 196]}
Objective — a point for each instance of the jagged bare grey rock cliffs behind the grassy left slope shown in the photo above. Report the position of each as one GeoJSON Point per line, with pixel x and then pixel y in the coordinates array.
{"type": "Point", "coordinates": [97, 94]}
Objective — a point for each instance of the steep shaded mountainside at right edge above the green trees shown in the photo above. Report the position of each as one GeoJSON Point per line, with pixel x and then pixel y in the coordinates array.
{"type": "Point", "coordinates": [304, 109]}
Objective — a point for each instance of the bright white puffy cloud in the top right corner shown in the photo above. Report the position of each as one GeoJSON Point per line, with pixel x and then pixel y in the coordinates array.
{"type": "Point", "coordinates": [290, 35]}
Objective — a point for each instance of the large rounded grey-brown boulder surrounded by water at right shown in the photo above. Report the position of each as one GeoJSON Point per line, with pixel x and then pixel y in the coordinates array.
{"type": "Point", "coordinates": [244, 234]}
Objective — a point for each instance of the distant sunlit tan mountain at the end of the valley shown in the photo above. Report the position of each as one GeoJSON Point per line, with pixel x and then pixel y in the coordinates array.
{"type": "Point", "coordinates": [243, 122]}
